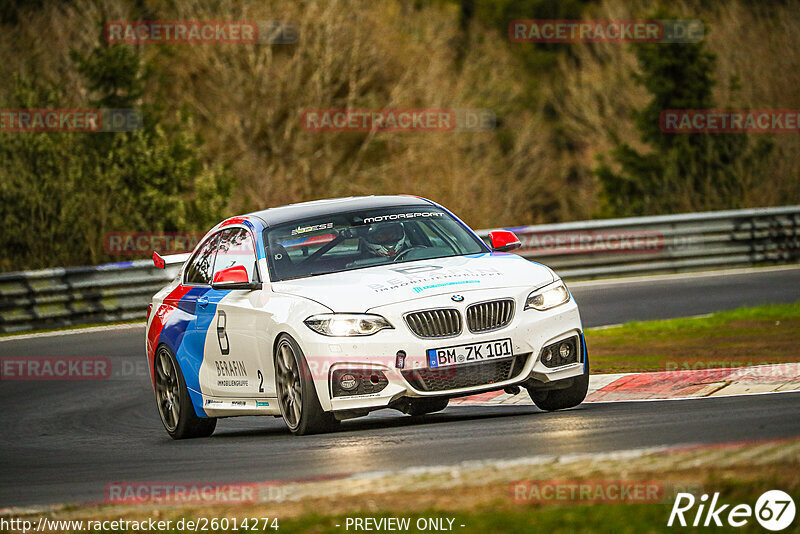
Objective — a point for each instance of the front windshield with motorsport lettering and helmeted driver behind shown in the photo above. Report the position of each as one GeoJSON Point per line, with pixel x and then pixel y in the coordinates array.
{"type": "Point", "coordinates": [366, 238]}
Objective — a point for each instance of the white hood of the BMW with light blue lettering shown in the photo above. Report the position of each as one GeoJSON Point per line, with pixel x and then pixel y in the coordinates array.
{"type": "Point", "coordinates": [360, 290]}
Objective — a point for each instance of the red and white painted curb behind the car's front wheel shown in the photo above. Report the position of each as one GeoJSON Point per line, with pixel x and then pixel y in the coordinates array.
{"type": "Point", "coordinates": [696, 383]}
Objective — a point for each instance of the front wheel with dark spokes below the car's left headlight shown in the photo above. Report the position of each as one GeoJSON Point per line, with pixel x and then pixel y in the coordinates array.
{"type": "Point", "coordinates": [297, 396]}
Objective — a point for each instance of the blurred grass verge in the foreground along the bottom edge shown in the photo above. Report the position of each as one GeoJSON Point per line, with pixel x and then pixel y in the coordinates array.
{"type": "Point", "coordinates": [482, 496]}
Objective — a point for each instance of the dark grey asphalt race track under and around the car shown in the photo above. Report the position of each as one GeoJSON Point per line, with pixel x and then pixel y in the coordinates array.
{"type": "Point", "coordinates": [65, 441]}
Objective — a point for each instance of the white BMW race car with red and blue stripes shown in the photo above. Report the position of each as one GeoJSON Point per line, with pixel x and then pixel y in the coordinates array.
{"type": "Point", "coordinates": [327, 310]}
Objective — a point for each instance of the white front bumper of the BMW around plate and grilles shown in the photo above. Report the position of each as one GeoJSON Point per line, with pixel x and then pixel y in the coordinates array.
{"type": "Point", "coordinates": [529, 331]}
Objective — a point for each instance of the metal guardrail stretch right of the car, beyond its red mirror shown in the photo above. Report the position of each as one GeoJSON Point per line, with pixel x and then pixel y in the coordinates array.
{"type": "Point", "coordinates": [666, 243]}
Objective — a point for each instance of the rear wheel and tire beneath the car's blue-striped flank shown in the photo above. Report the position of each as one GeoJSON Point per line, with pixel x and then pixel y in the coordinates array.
{"type": "Point", "coordinates": [173, 401]}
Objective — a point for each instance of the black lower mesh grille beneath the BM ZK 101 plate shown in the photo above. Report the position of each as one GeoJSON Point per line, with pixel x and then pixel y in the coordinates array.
{"type": "Point", "coordinates": [465, 376]}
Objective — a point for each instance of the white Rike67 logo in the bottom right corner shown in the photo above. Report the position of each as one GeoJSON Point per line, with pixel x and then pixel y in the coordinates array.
{"type": "Point", "coordinates": [774, 510]}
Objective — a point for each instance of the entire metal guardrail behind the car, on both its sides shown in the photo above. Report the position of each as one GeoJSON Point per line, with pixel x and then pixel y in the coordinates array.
{"type": "Point", "coordinates": [577, 250]}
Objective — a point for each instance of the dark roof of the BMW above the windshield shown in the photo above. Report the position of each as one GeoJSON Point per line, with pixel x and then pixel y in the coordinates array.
{"type": "Point", "coordinates": [333, 206]}
